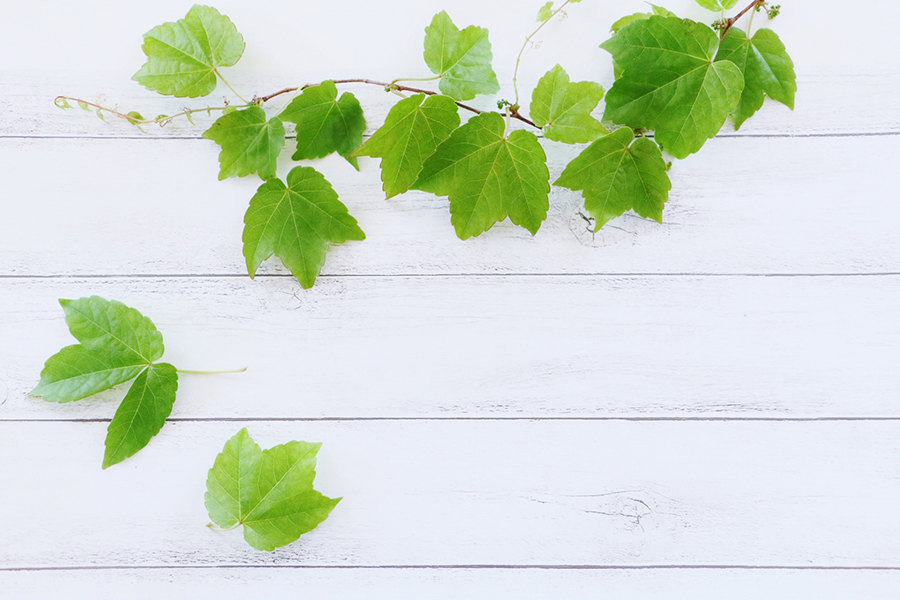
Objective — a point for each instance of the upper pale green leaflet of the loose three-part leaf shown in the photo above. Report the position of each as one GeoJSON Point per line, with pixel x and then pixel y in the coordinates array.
{"type": "Point", "coordinates": [108, 326]}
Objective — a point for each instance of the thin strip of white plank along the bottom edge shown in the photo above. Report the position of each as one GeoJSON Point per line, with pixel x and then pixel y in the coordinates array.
{"type": "Point", "coordinates": [442, 584]}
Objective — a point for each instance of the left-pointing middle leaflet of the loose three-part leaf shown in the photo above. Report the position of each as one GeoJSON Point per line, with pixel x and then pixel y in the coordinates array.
{"type": "Point", "coordinates": [74, 373]}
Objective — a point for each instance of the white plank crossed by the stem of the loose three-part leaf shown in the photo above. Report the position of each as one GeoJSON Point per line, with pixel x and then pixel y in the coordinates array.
{"type": "Point", "coordinates": [496, 347]}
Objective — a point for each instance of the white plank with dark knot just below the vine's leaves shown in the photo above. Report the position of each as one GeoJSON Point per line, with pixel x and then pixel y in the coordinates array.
{"type": "Point", "coordinates": [745, 206]}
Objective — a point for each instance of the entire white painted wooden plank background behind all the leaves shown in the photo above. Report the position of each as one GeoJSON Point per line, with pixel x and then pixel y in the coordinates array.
{"type": "Point", "coordinates": [703, 409]}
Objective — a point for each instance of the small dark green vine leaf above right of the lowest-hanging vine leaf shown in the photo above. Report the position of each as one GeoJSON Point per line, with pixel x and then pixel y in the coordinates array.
{"type": "Point", "coordinates": [326, 124]}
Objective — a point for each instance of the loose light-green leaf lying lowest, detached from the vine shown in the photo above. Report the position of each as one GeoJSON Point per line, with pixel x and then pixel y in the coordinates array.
{"type": "Point", "coordinates": [269, 492]}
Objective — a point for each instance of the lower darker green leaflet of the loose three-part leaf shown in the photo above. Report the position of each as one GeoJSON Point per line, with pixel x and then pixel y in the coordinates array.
{"type": "Point", "coordinates": [142, 413]}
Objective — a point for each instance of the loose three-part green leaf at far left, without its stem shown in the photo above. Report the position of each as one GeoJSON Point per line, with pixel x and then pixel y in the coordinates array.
{"type": "Point", "coordinates": [117, 343]}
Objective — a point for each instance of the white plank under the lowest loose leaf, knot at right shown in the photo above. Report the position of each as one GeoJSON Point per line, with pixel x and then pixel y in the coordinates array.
{"type": "Point", "coordinates": [483, 493]}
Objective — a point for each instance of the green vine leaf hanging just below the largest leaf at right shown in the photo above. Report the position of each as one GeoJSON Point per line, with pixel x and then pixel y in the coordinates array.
{"type": "Point", "coordinates": [616, 175]}
